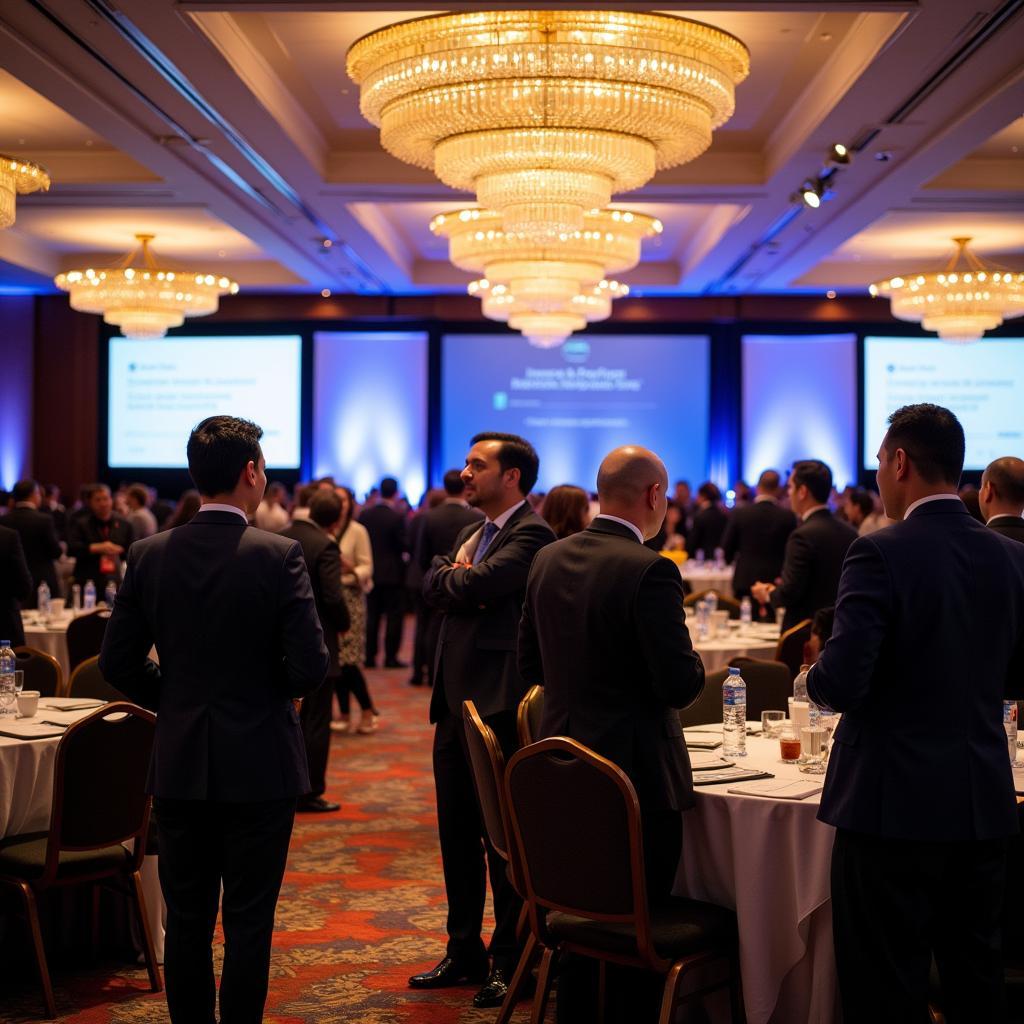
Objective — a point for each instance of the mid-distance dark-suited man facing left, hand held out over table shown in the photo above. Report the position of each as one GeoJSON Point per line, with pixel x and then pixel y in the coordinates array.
{"type": "Point", "coordinates": [815, 551]}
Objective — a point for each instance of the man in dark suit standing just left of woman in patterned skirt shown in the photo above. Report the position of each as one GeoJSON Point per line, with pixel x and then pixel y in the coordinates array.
{"type": "Point", "coordinates": [320, 550]}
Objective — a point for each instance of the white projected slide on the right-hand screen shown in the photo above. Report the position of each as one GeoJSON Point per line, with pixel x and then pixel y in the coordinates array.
{"type": "Point", "coordinates": [983, 383]}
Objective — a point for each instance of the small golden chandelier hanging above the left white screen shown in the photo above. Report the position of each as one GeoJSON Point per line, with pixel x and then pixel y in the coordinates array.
{"type": "Point", "coordinates": [142, 298]}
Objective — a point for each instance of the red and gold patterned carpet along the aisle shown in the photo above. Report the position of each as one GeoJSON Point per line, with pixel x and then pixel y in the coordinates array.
{"type": "Point", "coordinates": [363, 906]}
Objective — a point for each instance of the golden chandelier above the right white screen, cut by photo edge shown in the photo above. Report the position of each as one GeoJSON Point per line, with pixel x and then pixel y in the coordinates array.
{"type": "Point", "coordinates": [962, 303]}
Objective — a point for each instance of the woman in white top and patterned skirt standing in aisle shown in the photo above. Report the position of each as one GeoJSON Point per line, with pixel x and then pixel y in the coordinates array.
{"type": "Point", "coordinates": [357, 581]}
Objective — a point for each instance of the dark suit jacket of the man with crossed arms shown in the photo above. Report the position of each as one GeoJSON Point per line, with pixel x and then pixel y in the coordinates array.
{"type": "Point", "coordinates": [477, 650]}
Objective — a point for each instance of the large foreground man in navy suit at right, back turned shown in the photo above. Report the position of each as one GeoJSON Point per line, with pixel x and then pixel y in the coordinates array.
{"type": "Point", "coordinates": [928, 643]}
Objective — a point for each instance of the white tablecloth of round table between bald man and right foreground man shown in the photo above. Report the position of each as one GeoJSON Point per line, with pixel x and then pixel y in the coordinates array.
{"type": "Point", "coordinates": [771, 861]}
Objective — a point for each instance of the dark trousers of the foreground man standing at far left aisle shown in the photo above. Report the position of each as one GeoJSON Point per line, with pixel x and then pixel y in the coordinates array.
{"type": "Point", "coordinates": [204, 844]}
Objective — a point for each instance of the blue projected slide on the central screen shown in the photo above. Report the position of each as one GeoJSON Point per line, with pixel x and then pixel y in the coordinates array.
{"type": "Point", "coordinates": [577, 403]}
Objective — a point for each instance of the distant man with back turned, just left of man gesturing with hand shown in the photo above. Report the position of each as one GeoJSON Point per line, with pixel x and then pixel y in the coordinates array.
{"type": "Point", "coordinates": [756, 536]}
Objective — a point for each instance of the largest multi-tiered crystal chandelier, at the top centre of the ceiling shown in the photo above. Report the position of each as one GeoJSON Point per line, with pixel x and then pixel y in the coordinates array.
{"type": "Point", "coordinates": [545, 115]}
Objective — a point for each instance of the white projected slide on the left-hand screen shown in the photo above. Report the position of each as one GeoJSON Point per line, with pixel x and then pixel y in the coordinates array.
{"type": "Point", "coordinates": [159, 391]}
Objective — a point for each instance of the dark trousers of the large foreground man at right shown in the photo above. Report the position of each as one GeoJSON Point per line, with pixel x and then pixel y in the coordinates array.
{"type": "Point", "coordinates": [897, 903]}
